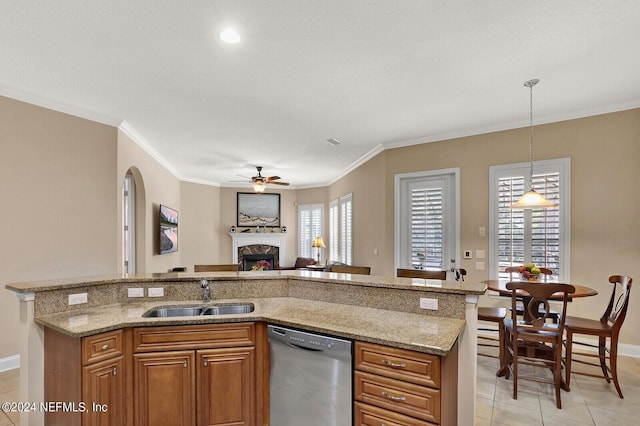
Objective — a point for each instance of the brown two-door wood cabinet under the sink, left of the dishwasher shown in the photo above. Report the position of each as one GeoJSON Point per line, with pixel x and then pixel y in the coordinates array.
{"type": "Point", "coordinates": [211, 382]}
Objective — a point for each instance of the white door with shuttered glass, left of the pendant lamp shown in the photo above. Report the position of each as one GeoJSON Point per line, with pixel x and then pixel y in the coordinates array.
{"type": "Point", "coordinates": [426, 220]}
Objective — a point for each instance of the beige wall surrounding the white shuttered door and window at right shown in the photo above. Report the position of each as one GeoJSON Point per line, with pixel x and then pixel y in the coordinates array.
{"type": "Point", "coordinates": [605, 199]}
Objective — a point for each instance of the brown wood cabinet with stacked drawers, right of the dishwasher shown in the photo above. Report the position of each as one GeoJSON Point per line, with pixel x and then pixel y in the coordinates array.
{"type": "Point", "coordinates": [404, 388]}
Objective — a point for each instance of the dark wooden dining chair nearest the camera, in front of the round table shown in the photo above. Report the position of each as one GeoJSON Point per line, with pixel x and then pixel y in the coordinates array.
{"type": "Point", "coordinates": [536, 342]}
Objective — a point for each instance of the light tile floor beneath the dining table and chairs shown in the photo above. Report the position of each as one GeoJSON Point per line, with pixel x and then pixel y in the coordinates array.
{"type": "Point", "coordinates": [591, 401]}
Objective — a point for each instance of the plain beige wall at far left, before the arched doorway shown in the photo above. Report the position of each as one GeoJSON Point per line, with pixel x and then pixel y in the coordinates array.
{"type": "Point", "coordinates": [58, 202]}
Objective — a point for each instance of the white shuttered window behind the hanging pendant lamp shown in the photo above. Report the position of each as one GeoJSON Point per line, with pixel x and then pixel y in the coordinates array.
{"type": "Point", "coordinates": [540, 236]}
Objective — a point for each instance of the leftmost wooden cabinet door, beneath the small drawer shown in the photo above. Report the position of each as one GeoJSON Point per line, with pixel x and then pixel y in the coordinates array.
{"type": "Point", "coordinates": [103, 390]}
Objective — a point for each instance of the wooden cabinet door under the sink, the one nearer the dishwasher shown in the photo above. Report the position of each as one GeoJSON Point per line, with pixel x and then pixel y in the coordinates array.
{"type": "Point", "coordinates": [226, 386]}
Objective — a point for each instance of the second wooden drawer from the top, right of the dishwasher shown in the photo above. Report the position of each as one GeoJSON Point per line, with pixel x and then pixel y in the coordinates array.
{"type": "Point", "coordinates": [405, 398]}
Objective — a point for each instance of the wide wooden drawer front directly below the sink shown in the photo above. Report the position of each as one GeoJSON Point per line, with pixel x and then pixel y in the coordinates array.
{"type": "Point", "coordinates": [148, 339]}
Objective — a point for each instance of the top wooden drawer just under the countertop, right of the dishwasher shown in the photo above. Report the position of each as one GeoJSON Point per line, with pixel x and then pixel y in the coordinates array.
{"type": "Point", "coordinates": [415, 367]}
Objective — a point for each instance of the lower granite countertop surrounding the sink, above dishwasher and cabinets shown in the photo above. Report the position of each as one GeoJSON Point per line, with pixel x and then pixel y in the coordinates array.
{"type": "Point", "coordinates": [421, 333]}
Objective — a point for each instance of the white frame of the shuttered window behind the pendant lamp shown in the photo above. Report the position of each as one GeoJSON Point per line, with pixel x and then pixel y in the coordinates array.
{"type": "Point", "coordinates": [562, 166]}
